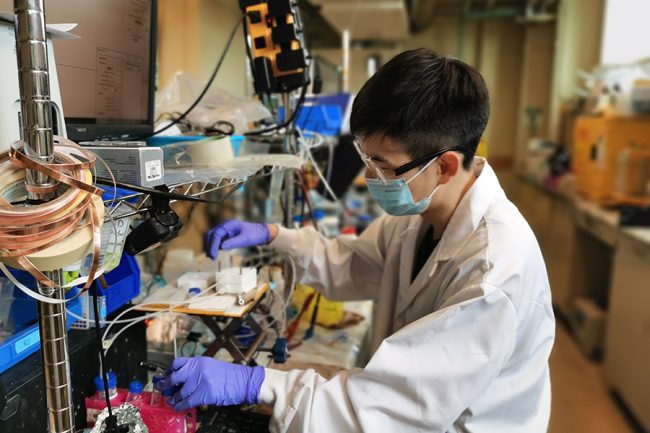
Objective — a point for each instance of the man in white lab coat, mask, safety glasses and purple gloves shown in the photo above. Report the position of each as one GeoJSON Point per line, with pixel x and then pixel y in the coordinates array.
{"type": "Point", "coordinates": [463, 326]}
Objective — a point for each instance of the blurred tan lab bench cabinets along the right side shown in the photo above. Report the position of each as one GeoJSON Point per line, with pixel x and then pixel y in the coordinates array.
{"type": "Point", "coordinates": [588, 255]}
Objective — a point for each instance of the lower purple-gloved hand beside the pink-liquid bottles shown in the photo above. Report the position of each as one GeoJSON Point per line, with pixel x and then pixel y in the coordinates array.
{"type": "Point", "coordinates": [208, 381]}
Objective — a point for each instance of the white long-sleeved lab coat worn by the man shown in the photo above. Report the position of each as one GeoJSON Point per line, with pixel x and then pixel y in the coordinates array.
{"type": "Point", "coordinates": [464, 348]}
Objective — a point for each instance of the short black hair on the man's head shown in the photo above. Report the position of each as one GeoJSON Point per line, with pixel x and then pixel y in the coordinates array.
{"type": "Point", "coordinates": [425, 102]}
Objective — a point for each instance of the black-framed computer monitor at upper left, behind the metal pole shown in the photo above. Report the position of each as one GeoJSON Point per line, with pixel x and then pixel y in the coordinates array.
{"type": "Point", "coordinates": [107, 77]}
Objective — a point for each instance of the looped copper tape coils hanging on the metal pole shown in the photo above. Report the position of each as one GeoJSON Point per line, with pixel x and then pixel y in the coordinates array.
{"type": "Point", "coordinates": [26, 230]}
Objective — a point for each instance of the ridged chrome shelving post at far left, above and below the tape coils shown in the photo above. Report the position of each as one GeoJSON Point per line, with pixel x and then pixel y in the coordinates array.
{"type": "Point", "coordinates": [36, 115]}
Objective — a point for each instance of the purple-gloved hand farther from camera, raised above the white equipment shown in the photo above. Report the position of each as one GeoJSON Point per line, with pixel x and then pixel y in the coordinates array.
{"type": "Point", "coordinates": [235, 234]}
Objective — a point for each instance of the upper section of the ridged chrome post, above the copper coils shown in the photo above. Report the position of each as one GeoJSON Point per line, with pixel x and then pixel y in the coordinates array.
{"type": "Point", "coordinates": [34, 83]}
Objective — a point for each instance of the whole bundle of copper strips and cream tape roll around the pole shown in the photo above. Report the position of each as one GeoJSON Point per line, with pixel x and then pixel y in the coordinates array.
{"type": "Point", "coordinates": [49, 236]}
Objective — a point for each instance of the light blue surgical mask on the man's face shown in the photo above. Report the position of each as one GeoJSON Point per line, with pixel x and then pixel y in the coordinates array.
{"type": "Point", "coordinates": [395, 196]}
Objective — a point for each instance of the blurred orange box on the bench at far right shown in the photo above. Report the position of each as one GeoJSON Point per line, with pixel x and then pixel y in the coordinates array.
{"type": "Point", "coordinates": [599, 144]}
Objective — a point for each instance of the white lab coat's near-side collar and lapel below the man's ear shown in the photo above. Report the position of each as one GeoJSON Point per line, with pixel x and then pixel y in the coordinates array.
{"type": "Point", "coordinates": [469, 212]}
